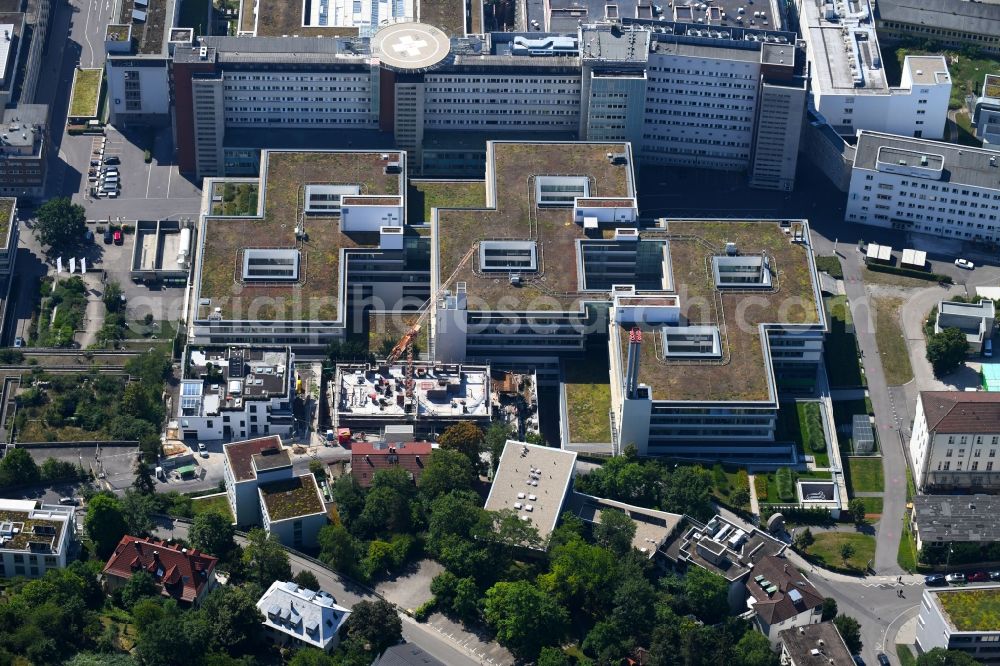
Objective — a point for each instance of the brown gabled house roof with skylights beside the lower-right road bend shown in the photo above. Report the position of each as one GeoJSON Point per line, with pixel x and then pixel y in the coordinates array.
{"type": "Point", "coordinates": [793, 594]}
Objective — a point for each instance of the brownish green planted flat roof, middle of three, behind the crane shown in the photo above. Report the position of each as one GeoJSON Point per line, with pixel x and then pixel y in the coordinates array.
{"type": "Point", "coordinates": [512, 213]}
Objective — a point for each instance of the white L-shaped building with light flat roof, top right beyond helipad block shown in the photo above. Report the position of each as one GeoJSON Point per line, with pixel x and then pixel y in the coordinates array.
{"type": "Point", "coordinates": [848, 81]}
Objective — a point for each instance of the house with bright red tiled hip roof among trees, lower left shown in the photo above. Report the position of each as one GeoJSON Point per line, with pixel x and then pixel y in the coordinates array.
{"type": "Point", "coordinates": [181, 573]}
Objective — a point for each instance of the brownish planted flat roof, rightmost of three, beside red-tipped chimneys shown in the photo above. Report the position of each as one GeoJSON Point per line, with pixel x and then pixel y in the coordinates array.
{"type": "Point", "coordinates": [742, 373]}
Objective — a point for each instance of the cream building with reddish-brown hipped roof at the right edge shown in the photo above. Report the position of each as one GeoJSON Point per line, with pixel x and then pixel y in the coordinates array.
{"type": "Point", "coordinates": [955, 441]}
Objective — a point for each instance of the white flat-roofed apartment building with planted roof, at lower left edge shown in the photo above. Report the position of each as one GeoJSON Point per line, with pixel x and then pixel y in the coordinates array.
{"type": "Point", "coordinates": [34, 537]}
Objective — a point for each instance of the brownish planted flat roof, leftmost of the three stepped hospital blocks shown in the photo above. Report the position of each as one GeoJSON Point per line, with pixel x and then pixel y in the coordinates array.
{"type": "Point", "coordinates": [314, 294]}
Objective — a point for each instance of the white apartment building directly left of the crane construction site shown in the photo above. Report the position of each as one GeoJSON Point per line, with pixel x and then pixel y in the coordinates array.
{"type": "Point", "coordinates": [235, 392]}
